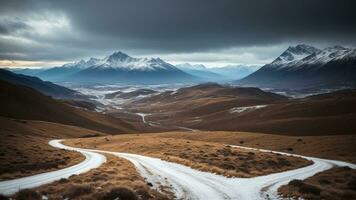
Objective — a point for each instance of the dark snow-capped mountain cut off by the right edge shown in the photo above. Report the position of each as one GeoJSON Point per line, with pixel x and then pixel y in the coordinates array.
{"type": "Point", "coordinates": [305, 66]}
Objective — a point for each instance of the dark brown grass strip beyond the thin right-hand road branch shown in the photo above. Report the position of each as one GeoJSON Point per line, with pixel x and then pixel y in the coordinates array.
{"type": "Point", "coordinates": [339, 147]}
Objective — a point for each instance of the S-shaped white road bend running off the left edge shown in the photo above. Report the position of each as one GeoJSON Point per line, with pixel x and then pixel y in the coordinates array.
{"type": "Point", "coordinates": [92, 160]}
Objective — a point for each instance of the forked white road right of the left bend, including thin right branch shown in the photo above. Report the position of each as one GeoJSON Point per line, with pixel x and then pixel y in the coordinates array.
{"type": "Point", "coordinates": [188, 183]}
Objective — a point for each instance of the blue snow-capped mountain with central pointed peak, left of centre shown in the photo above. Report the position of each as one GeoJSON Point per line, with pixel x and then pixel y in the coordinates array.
{"type": "Point", "coordinates": [118, 68]}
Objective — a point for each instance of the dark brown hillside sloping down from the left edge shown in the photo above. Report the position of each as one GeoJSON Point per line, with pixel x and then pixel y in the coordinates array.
{"type": "Point", "coordinates": [25, 103]}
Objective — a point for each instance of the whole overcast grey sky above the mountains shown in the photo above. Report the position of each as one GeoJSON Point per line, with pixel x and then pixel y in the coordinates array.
{"type": "Point", "coordinates": [212, 32]}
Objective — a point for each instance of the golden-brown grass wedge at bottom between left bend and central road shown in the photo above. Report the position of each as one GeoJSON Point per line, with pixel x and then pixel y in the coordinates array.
{"type": "Point", "coordinates": [117, 178]}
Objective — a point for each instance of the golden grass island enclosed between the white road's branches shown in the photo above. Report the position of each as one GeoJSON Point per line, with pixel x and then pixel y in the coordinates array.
{"type": "Point", "coordinates": [205, 156]}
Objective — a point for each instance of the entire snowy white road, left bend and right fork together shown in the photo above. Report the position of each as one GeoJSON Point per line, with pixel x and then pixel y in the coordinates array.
{"type": "Point", "coordinates": [185, 182]}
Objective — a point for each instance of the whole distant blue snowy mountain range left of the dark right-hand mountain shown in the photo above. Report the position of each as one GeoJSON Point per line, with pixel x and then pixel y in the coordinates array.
{"type": "Point", "coordinates": [121, 68]}
